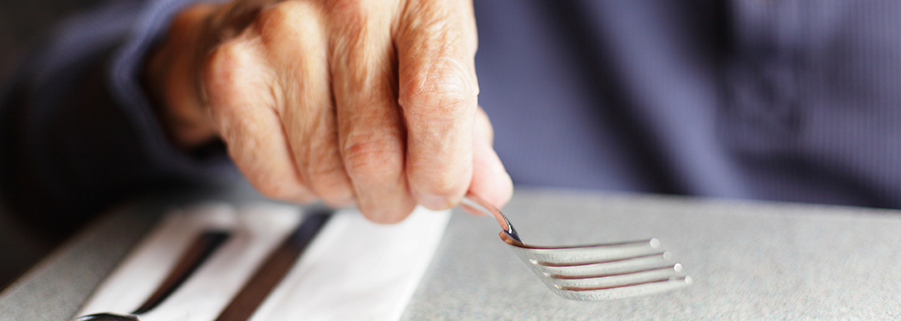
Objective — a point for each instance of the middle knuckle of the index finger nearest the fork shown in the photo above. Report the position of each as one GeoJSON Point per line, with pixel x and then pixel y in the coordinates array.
{"type": "Point", "coordinates": [442, 90]}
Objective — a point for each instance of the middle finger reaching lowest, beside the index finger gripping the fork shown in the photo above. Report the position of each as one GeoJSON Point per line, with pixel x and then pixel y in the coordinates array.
{"type": "Point", "coordinates": [369, 122]}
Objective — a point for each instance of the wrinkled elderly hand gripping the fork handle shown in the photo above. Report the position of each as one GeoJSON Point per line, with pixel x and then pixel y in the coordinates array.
{"type": "Point", "coordinates": [365, 102]}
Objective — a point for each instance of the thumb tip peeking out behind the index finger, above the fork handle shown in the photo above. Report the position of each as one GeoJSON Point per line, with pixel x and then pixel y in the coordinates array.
{"type": "Point", "coordinates": [490, 180]}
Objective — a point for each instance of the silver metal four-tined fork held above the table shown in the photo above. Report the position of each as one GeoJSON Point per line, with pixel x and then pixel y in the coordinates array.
{"type": "Point", "coordinates": [592, 272]}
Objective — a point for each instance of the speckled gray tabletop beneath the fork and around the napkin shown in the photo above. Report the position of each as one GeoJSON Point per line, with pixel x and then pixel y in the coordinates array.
{"type": "Point", "coordinates": [749, 260]}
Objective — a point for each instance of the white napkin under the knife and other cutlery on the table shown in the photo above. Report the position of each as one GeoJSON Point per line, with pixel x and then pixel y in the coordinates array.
{"type": "Point", "coordinates": [353, 269]}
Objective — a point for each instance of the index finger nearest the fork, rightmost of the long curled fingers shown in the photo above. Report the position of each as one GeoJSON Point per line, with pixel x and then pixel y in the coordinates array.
{"type": "Point", "coordinates": [438, 94]}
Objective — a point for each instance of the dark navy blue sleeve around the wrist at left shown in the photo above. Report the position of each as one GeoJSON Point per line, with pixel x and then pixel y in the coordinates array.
{"type": "Point", "coordinates": [77, 132]}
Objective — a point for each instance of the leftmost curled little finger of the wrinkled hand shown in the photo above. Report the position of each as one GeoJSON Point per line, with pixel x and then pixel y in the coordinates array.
{"type": "Point", "coordinates": [242, 107]}
